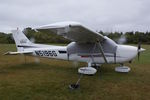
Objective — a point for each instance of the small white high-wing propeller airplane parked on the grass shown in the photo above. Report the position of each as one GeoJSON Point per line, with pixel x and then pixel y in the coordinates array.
{"type": "Point", "coordinates": [86, 46]}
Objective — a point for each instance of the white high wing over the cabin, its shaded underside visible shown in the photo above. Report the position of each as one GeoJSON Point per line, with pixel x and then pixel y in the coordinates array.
{"type": "Point", "coordinates": [73, 31]}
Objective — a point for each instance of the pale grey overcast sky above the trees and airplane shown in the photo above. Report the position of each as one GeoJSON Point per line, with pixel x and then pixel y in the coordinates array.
{"type": "Point", "coordinates": [106, 15]}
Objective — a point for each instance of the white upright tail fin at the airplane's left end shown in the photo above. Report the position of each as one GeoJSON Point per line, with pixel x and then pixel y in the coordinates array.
{"type": "Point", "coordinates": [20, 39]}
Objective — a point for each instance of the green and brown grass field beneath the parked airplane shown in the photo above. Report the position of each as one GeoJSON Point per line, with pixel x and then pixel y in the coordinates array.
{"type": "Point", "coordinates": [49, 79]}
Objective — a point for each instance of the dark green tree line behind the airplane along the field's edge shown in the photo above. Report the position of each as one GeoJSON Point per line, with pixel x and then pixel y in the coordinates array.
{"type": "Point", "coordinates": [46, 37]}
